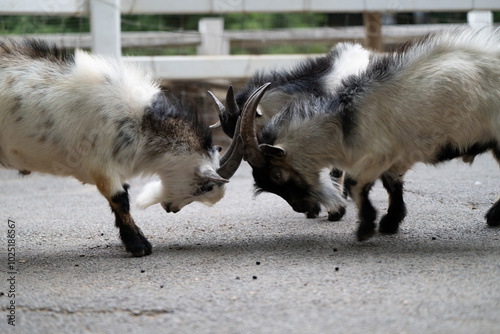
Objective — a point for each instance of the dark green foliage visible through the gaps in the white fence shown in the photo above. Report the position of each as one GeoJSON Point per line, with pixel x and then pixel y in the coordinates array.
{"type": "Point", "coordinates": [15, 25]}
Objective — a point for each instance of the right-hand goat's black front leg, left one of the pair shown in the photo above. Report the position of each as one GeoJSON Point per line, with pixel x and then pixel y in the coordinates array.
{"type": "Point", "coordinates": [366, 212]}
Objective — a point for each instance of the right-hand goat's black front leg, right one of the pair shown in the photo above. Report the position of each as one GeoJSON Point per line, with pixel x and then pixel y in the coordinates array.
{"type": "Point", "coordinates": [396, 212]}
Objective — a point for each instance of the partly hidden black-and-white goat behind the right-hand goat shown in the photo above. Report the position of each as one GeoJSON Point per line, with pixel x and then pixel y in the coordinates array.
{"type": "Point", "coordinates": [314, 77]}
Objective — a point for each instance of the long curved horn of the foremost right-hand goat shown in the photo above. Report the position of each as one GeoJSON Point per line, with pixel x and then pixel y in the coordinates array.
{"type": "Point", "coordinates": [253, 154]}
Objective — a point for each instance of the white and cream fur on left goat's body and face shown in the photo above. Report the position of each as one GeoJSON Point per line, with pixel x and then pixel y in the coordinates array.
{"type": "Point", "coordinates": [62, 120]}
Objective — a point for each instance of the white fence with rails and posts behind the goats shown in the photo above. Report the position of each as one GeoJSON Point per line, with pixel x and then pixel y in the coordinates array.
{"type": "Point", "coordinates": [106, 37]}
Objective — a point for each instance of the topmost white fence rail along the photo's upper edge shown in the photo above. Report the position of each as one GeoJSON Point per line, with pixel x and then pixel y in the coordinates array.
{"type": "Point", "coordinates": [82, 7]}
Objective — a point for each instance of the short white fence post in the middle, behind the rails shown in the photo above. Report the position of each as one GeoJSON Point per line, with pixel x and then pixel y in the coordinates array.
{"type": "Point", "coordinates": [212, 37]}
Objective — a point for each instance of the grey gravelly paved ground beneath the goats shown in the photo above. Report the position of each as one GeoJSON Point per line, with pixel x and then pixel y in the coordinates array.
{"type": "Point", "coordinates": [252, 265]}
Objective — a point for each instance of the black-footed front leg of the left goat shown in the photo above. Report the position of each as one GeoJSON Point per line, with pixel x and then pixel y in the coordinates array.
{"type": "Point", "coordinates": [135, 242]}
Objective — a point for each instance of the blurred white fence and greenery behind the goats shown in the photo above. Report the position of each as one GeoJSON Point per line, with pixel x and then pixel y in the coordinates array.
{"type": "Point", "coordinates": [213, 41]}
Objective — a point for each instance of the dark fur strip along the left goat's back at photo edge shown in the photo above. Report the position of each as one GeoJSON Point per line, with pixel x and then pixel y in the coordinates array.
{"type": "Point", "coordinates": [36, 49]}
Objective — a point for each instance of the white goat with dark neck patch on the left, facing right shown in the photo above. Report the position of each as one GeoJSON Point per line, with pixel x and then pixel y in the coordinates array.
{"type": "Point", "coordinates": [103, 122]}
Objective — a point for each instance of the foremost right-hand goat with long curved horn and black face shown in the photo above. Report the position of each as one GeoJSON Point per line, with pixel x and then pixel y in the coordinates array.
{"type": "Point", "coordinates": [431, 100]}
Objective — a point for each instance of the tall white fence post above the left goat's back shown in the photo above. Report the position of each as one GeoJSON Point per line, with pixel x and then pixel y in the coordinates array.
{"type": "Point", "coordinates": [105, 27]}
